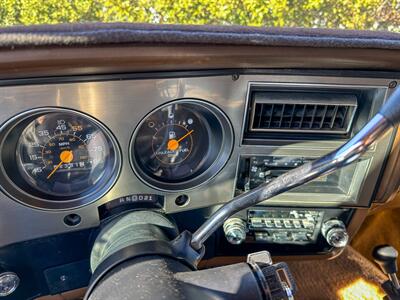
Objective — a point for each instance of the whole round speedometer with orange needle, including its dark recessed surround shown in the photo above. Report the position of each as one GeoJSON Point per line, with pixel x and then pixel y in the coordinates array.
{"type": "Point", "coordinates": [63, 157]}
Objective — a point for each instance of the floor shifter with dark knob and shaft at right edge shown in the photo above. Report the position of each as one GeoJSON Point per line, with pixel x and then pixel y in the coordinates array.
{"type": "Point", "coordinates": [386, 257]}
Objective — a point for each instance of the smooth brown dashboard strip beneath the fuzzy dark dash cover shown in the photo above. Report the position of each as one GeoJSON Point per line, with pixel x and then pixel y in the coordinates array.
{"type": "Point", "coordinates": [56, 61]}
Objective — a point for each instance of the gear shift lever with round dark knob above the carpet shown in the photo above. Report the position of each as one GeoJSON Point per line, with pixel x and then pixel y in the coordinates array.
{"type": "Point", "coordinates": [386, 257]}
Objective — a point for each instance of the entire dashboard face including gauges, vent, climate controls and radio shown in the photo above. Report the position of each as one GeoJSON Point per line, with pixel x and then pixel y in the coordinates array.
{"type": "Point", "coordinates": [75, 152]}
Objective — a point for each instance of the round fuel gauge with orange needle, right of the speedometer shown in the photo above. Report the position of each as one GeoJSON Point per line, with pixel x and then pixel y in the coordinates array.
{"type": "Point", "coordinates": [180, 145]}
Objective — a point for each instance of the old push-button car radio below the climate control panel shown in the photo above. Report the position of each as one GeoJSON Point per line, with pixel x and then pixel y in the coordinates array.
{"type": "Point", "coordinates": [285, 230]}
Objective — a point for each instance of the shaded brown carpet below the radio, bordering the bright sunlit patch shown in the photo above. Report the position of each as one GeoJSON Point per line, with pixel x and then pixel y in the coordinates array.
{"type": "Point", "coordinates": [322, 279]}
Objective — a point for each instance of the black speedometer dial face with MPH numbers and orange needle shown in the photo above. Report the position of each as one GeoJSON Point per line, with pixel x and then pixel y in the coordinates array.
{"type": "Point", "coordinates": [64, 154]}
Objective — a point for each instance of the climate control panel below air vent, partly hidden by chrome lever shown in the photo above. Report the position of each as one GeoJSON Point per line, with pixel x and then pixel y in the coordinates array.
{"type": "Point", "coordinates": [342, 186]}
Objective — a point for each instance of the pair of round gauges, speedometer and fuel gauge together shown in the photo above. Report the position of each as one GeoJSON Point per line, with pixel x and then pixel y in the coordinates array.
{"type": "Point", "coordinates": [56, 158]}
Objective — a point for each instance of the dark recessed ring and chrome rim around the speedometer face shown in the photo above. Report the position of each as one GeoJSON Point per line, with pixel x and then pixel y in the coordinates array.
{"type": "Point", "coordinates": [12, 182]}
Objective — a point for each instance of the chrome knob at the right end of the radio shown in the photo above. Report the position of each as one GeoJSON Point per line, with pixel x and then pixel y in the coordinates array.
{"type": "Point", "coordinates": [335, 233]}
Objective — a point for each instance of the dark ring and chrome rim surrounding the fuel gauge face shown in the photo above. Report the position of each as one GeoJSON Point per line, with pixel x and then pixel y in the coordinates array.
{"type": "Point", "coordinates": [204, 177]}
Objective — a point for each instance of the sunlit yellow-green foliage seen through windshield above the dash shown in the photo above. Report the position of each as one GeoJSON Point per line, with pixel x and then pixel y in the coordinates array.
{"type": "Point", "coordinates": [341, 14]}
